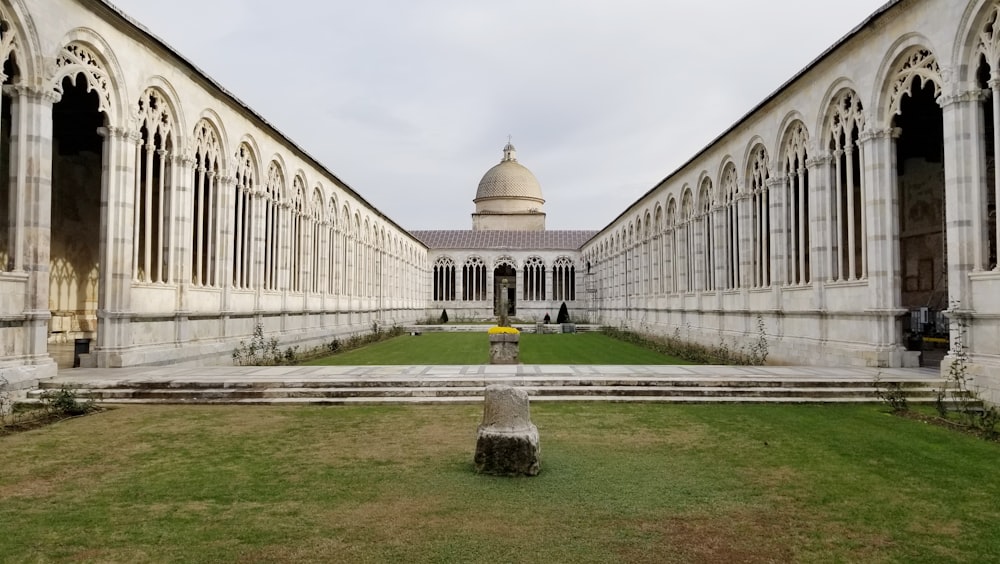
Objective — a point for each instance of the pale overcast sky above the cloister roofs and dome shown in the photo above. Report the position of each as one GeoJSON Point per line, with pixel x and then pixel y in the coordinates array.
{"type": "Point", "coordinates": [411, 102]}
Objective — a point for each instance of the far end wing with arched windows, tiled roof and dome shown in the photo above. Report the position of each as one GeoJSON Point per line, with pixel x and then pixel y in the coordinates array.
{"type": "Point", "coordinates": [507, 249]}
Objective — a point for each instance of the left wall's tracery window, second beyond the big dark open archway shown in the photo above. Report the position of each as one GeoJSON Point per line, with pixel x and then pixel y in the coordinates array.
{"type": "Point", "coordinates": [205, 235]}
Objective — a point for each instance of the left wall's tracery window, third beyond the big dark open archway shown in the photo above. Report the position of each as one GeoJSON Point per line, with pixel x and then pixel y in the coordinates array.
{"type": "Point", "coordinates": [244, 183]}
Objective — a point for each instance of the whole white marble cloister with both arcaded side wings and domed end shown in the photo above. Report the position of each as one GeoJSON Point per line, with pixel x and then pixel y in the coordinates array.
{"type": "Point", "coordinates": [849, 214]}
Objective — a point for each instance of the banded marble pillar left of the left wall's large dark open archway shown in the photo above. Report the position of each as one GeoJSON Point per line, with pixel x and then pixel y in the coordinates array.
{"type": "Point", "coordinates": [31, 200]}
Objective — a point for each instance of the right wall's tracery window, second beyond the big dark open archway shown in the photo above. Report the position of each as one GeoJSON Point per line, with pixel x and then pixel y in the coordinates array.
{"type": "Point", "coordinates": [797, 205]}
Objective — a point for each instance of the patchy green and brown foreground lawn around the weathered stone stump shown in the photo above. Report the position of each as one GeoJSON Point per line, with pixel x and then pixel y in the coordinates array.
{"type": "Point", "coordinates": [625, 483]}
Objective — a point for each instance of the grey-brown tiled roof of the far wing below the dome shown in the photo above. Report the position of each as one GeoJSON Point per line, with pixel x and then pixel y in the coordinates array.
{"type": "Point", "coordinates": [467, 239]}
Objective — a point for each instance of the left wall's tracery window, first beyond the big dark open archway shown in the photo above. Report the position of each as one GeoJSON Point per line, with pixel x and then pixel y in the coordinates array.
{"type": "Point", "coordinates": [153, 189]}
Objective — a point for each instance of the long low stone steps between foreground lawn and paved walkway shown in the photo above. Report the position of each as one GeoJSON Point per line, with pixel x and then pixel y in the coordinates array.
{"type": "Point", "coordinates": [341, 389]}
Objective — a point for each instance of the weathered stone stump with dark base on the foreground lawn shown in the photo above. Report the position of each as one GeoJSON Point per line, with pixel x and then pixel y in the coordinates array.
{"type": "Point", "coordinates": [507, 441]}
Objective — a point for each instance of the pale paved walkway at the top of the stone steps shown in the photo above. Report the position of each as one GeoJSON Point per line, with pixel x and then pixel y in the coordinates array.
{"type": "Point", "coordinates": [101, 377]}
